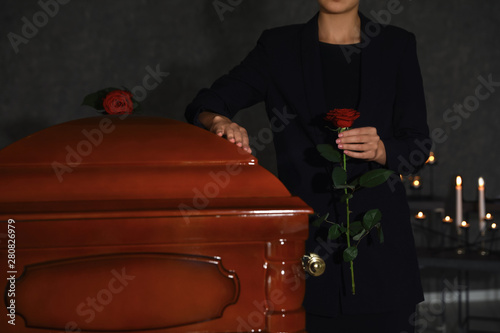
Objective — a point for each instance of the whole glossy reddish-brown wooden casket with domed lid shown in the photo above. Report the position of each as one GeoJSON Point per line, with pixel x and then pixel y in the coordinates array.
{"type": "Point", "coordinates": [132, 224]}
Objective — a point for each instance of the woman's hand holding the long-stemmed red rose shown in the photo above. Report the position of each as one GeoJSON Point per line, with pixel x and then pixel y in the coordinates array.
{"type": "Point", "coordinates": [363, 143]}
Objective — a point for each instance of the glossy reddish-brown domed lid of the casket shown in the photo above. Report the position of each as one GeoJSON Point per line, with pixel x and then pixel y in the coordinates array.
{"type": "Point", "coordinates": [137, 158]}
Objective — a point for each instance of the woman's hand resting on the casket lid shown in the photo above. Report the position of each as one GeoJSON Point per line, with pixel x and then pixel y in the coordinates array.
{"type": "Point", "coordinates": [224, 127]}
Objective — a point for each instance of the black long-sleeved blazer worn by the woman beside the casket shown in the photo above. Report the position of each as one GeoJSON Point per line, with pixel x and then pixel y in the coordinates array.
{"type": "Point", "coordinates": [284, 71]}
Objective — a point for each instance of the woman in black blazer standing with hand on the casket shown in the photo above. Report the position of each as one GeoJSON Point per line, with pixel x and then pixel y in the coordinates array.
{"type": "Point", "coordinates": [339, 59]}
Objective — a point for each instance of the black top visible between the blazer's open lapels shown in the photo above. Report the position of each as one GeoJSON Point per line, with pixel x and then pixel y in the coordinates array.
{"type": "Point", "coordinates": [341, 76]}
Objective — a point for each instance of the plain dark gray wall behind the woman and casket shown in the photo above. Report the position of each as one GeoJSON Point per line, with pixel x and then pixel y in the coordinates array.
{"type": "Point", "coordinates": [89, 45]}
